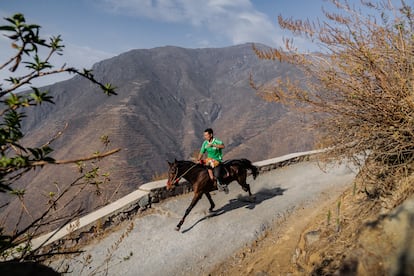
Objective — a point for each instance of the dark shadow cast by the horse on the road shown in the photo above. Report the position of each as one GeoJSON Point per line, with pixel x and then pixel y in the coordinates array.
{"type": "Point", "coordinates": [242, 202]}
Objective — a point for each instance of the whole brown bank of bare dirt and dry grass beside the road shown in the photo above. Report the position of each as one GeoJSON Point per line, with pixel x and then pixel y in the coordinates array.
{"type": "Point", "coordinates": [307, 243]}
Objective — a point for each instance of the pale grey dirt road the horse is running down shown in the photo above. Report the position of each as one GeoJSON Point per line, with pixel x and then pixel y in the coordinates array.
{"type": "Point", "coordinates": [153, 247]}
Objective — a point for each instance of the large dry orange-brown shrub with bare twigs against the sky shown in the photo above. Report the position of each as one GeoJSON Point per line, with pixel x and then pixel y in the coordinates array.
{"type": "Point", "coordinates": [359, 86]}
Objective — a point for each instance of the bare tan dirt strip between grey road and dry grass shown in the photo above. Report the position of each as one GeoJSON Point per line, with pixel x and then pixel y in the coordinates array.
{"type": "Point", "coordinates": [273, 254]}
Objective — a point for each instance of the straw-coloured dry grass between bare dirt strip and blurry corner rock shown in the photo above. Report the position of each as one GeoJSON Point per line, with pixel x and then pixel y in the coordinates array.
{"type": "Point", "coordinates": [339, 248]}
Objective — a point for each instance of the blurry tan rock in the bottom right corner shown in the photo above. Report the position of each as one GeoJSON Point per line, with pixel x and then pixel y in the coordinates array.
{"type": "Point", "coordinates": [386, 244]}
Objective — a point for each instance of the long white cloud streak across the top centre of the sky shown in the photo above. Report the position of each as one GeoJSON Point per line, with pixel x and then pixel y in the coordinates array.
{"type": "Point", "coordinates": [235, 20]}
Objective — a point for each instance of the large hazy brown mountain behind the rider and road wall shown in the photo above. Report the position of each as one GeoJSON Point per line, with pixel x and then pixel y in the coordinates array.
{"type": "Point", "coordinates": [166, 97]}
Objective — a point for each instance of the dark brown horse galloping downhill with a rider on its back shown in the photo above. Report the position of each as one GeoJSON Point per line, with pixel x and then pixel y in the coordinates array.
{"type": "Point", "coordinates": [197, 175]}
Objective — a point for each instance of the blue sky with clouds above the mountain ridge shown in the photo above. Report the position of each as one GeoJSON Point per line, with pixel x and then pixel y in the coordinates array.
{"type": "Point", "coordinates": [93, 30]}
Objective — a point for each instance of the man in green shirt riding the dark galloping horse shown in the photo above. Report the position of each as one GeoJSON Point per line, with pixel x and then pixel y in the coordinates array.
{"type": "Point", "coordinates": [213, 147]}
